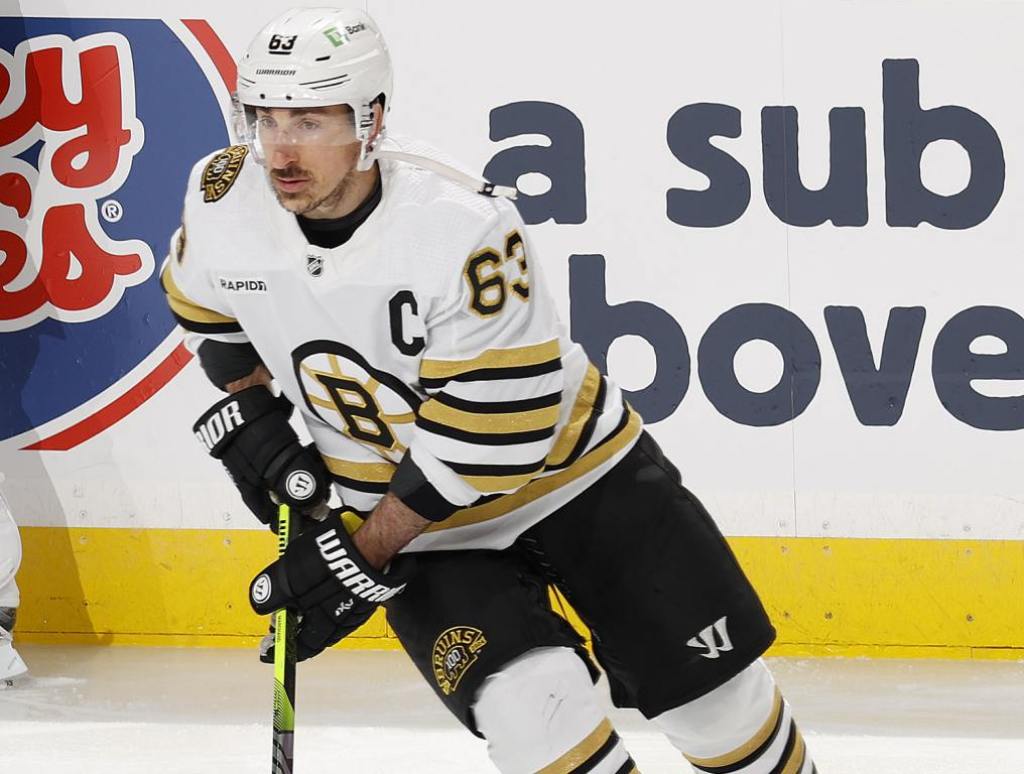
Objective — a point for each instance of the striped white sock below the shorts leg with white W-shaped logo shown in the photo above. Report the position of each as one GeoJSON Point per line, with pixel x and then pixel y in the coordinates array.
{"type": "Point", "coordinates": [744, 726]}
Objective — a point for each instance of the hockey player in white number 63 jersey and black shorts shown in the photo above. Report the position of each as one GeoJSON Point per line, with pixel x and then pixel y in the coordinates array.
{"type": "Point", "coordinates": [399, 306]}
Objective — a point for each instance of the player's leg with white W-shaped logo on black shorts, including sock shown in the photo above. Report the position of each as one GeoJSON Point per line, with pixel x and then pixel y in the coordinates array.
{"type": "Point", "coordinates": [675, 622]}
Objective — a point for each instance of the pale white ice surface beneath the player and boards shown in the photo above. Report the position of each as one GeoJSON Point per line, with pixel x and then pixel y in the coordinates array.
{"type": "Point", "coordinates": [166, 711]}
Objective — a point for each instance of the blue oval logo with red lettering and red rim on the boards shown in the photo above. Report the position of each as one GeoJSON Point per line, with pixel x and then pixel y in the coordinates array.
{"type": "Point", "coordinates": [101, 121]}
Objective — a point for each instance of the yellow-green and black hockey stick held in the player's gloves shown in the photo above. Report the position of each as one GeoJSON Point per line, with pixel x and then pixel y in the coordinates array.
{"type": "Point", "coordinates": [285, 623]}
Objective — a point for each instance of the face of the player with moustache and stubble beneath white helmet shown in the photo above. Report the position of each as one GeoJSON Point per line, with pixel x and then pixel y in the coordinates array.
{"type": "Point", "coordinates": [311, 156]}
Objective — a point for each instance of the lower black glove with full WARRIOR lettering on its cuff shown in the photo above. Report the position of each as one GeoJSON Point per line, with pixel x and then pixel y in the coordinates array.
{"type": "Point", "coordinates": [326, 580]}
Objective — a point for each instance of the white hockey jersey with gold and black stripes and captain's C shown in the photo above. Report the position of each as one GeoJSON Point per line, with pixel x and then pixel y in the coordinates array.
{"type": "Point", "coordinates": [428, 340]}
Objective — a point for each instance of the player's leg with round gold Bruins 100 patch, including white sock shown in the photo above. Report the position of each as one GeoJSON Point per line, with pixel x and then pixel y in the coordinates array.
{"type": "Point", "coordinates": [480, 628]}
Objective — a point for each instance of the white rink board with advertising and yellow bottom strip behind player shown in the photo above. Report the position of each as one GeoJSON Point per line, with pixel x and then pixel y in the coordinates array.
{"type": "Point", "coordinates": [790, 230]}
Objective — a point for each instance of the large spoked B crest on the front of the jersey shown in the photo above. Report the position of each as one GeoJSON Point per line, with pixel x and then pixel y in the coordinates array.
{"type": "Point", "coordinates": [368, 405]}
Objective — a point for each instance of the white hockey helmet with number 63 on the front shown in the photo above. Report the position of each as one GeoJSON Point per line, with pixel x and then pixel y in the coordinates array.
{"type": "Point", "coordinates": [316, 58]}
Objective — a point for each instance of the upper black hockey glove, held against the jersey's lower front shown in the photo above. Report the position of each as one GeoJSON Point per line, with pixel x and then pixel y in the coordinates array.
{"type": "Point", "coordinates": [249, 433]}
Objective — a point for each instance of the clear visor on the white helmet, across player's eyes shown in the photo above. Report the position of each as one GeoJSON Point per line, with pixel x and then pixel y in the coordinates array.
{"type": "Point", "coordinates": [269, 131]}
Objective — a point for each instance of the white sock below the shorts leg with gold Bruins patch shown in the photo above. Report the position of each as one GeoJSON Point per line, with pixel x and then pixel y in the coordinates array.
{"type": "Point", "coordinates": [542, 714]}
